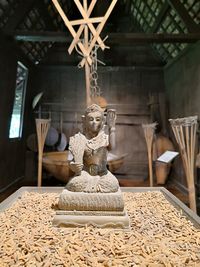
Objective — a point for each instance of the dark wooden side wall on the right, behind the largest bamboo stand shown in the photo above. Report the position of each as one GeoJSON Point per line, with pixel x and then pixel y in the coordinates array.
{"type": "Point", "coordinates": [182, 82]}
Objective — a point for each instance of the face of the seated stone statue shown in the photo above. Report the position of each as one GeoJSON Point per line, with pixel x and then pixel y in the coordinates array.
{"type": "Point", "coordinates": [94, 121]}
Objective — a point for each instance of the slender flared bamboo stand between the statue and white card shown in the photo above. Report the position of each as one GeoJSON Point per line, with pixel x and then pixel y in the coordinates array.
{"type": "Point", "coordinates": [149, 130]}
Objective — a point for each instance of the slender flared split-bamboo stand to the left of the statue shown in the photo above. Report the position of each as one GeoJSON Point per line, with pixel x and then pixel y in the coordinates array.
{"type": "Point", "coordinates": [42, 127]}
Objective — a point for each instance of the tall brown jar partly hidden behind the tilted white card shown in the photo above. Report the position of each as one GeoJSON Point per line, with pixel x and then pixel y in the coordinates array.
{"type": "Point", "coordinates": [162, 144]}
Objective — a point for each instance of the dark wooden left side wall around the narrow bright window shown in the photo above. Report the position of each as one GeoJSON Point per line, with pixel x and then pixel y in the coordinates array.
{"type": "Point", "coordinates": [12, 151]}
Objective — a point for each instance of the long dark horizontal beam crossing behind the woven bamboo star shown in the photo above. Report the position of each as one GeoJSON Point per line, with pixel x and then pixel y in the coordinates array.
{"type": "Point", "coordinates": [114, 38]}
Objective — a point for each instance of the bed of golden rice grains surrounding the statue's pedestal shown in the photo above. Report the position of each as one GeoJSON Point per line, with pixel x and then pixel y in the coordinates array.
{"type": "Point", "coordinates": [160, 236]}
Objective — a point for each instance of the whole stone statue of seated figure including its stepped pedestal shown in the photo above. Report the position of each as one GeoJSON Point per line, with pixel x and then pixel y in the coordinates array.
{"type": "Point", "coordinates": [93, 195]}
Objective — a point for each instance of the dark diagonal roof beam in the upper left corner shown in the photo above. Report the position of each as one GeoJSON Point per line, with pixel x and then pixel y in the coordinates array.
{"type": "Point", "coordinates": [23, 8]}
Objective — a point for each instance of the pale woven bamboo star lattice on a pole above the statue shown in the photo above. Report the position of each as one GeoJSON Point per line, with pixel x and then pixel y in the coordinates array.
{"type": "Point", "coordinates": [81, 41]}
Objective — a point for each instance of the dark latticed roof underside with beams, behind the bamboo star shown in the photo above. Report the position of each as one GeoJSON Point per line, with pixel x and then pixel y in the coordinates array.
{"type": "Point", "coordinates": [165, 26]}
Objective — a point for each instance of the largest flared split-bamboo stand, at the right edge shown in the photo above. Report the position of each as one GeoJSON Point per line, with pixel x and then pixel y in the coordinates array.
{"type": "Point", "coordinates": [184, 130]}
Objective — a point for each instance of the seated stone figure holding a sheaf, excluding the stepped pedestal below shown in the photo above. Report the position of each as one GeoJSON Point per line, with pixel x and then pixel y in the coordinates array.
{"type": "Point", "coordinates": [89, 152]}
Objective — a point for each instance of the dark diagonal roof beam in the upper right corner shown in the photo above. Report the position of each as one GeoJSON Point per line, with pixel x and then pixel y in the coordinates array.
{"type": "Point", "coordinates": [184, 15]}
